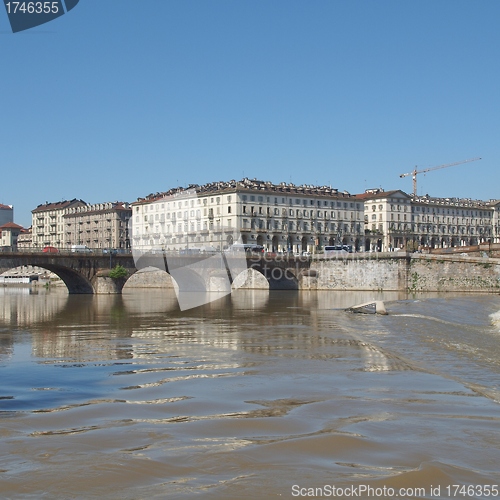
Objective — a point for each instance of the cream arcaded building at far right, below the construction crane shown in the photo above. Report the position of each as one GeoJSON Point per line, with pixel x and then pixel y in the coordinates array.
{"type": "Point", "coordinates": [395, 220]}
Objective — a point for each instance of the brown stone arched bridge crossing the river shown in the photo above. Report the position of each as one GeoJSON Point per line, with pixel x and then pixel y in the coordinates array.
{"type": "Point", "coordinates": [89, 272]}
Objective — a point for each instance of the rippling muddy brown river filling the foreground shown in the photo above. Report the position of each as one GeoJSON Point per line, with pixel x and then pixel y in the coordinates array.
{"type": "Point", "coordinates": [256, 395]}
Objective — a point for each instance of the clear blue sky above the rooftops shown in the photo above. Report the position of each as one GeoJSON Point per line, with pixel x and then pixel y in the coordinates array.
{"type": "Point", "coordinates": [121, 98]}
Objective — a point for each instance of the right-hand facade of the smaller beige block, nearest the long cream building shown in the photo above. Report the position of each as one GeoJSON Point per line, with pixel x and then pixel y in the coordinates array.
{"type": "Point", "coordinates": [103, 225]}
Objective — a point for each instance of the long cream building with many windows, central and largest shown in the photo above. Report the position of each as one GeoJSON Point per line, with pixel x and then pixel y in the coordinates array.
{"type": "Point", "coordinates": [279, 217]}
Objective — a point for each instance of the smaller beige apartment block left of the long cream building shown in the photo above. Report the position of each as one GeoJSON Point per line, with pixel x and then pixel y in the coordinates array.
{"type": "Point", "coordinates": [66, 223]}
